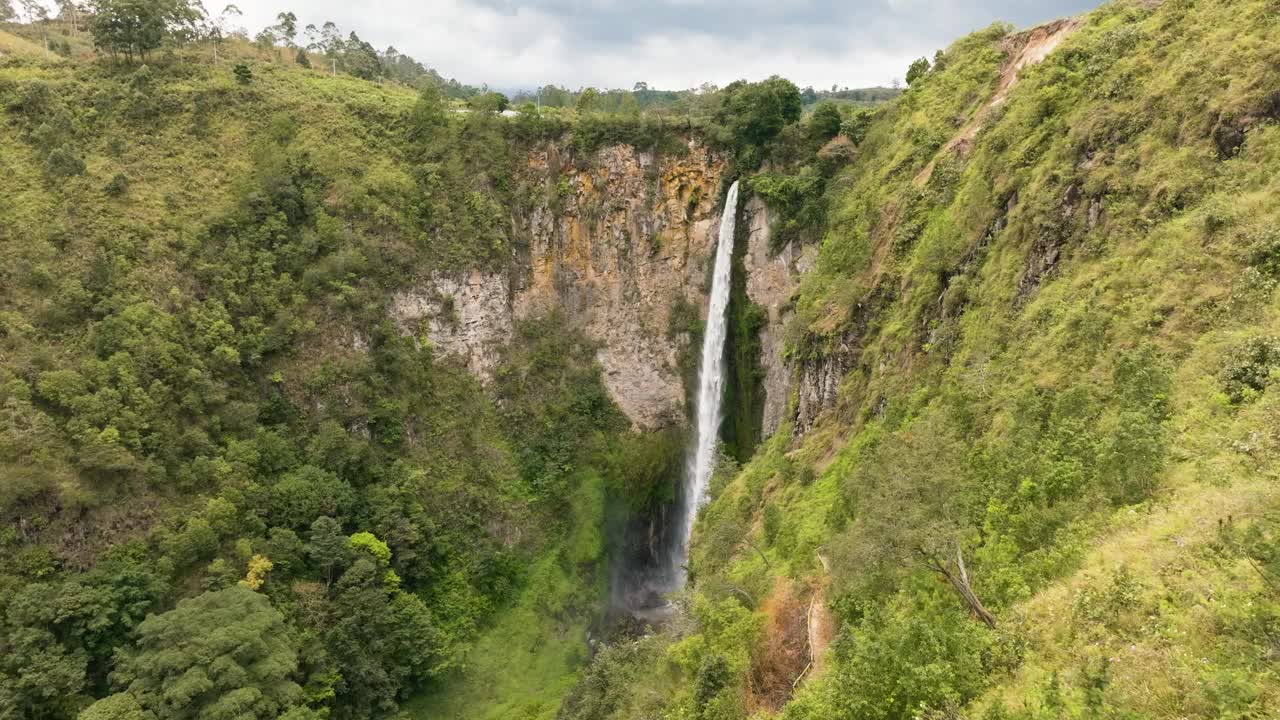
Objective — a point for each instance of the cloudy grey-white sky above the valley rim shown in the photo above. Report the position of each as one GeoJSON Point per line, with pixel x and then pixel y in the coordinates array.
{"type": "Point", "coordinates": [670, 44]}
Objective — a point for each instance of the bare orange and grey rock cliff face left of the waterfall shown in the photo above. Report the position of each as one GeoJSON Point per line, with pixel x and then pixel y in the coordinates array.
{"type": "Point", "coordinates": [616, 244]}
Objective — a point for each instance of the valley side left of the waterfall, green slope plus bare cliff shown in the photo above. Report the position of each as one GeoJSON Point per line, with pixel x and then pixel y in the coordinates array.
{"type": "Point", "coordinates": [228, 358]}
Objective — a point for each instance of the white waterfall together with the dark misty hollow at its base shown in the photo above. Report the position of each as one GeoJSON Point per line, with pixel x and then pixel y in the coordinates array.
{"type": "Point", "coordinates": [655, 562]}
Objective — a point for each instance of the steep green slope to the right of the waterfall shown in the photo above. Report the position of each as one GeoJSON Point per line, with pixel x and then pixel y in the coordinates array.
{"type": "Point", "coordinates": [1030, 462]}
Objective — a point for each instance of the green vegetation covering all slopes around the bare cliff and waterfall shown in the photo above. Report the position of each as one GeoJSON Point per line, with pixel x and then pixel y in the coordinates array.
{"type": "Point", "coordinates": [1028, 467]}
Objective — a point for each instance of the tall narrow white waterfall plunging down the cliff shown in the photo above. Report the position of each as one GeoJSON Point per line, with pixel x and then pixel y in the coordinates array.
{"type": "Point", "coordinates": [711, 384]}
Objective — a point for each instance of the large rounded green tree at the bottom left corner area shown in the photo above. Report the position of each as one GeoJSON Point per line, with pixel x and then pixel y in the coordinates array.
{"type": "Point", "coordinates": [226, 654]}
